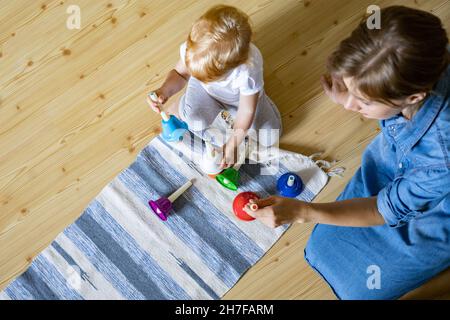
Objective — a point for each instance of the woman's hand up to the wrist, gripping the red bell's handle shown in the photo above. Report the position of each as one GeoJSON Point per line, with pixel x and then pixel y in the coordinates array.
{"type": "Point", "coordinates": [275, 211]}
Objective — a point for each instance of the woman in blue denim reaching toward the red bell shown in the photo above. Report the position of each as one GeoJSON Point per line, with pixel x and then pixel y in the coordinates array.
{"type": "Point", "coordinates": [389, 230]}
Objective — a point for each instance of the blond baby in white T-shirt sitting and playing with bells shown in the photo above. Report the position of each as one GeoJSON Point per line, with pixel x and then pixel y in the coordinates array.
{"type": "Point", "coordinates": [223, 70]}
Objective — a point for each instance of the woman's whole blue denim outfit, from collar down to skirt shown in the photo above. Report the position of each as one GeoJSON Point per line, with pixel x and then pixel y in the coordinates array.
{"type": "Point", "coordinates": [407, 167]}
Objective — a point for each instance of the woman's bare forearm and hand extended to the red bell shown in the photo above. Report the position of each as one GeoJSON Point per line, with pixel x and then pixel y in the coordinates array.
{"type": "Point", "coordinates": [360, 212]}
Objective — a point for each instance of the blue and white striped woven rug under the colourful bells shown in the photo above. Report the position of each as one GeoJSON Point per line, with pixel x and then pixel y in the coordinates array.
{"type": "Point", "coordinates": [118, 249]}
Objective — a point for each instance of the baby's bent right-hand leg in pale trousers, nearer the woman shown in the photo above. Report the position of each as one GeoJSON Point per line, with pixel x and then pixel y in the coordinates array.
{"type": "Point", "coordinates": [267, 126]}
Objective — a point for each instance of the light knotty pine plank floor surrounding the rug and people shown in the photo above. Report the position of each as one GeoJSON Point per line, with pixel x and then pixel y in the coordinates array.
{"type": "Point", "coordinates": [73, 112]}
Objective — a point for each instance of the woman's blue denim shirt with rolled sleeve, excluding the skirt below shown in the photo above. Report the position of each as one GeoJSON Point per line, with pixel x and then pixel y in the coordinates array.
{"type": "Point", "coordinates": [408, 164]}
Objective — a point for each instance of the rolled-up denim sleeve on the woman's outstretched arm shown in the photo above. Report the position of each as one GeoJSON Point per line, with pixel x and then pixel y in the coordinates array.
{"type": "Point", "coordinates": [411, 195]}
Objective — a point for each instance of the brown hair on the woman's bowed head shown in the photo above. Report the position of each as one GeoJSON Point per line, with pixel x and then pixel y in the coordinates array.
{"type": "Point", "coordinates": [407, 55]}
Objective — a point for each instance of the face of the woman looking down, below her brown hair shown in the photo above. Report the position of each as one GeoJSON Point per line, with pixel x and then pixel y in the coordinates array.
{"type": "Point", "coordinates": [369, 109]}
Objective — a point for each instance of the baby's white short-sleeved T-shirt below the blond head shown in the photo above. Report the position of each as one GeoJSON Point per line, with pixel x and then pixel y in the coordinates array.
{"type": "Point", "coordinates": [246, 79]}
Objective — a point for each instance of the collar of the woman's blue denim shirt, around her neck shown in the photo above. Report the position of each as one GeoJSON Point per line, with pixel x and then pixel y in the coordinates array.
{"type": "Point", "coordinates": [406, 133]}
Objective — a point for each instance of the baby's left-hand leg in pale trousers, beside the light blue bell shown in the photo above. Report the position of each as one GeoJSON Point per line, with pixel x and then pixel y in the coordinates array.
{"type": "Point", "coordinates": [197, 108]}
